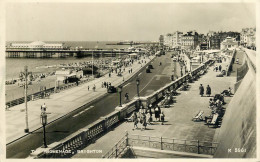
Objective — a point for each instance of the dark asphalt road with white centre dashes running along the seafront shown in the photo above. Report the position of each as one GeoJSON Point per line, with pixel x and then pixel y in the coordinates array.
{"type": "Point", "coordinates": [62, 128]}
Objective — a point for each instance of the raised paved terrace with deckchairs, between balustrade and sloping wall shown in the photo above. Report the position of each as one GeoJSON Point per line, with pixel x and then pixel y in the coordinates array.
{"type": "Point", "coordinates": [178, 117]}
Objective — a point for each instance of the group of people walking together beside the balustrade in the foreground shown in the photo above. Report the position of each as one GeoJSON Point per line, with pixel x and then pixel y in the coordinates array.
{"type": "Point", "coordinates": [145, 117]}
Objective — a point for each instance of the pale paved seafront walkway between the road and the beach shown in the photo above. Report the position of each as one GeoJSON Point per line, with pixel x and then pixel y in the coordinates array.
{"type": "Point", "coordinates": [61, 103]}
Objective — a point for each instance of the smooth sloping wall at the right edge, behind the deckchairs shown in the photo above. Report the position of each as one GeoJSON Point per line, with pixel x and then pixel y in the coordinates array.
{"type": "Point", "coordinates": [237, 136]}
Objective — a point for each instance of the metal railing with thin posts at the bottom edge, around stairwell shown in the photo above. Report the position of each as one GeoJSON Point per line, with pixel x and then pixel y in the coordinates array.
{"type": "Point", "coordinates": [161, 143]}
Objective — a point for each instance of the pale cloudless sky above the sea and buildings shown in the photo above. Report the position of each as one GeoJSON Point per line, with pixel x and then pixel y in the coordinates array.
{"type": "Point", "coordinates": [121, 21]}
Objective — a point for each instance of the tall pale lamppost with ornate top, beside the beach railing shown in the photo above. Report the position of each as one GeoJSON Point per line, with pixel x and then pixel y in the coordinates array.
{"type": "Point", "coordinates": [25, 74]}
